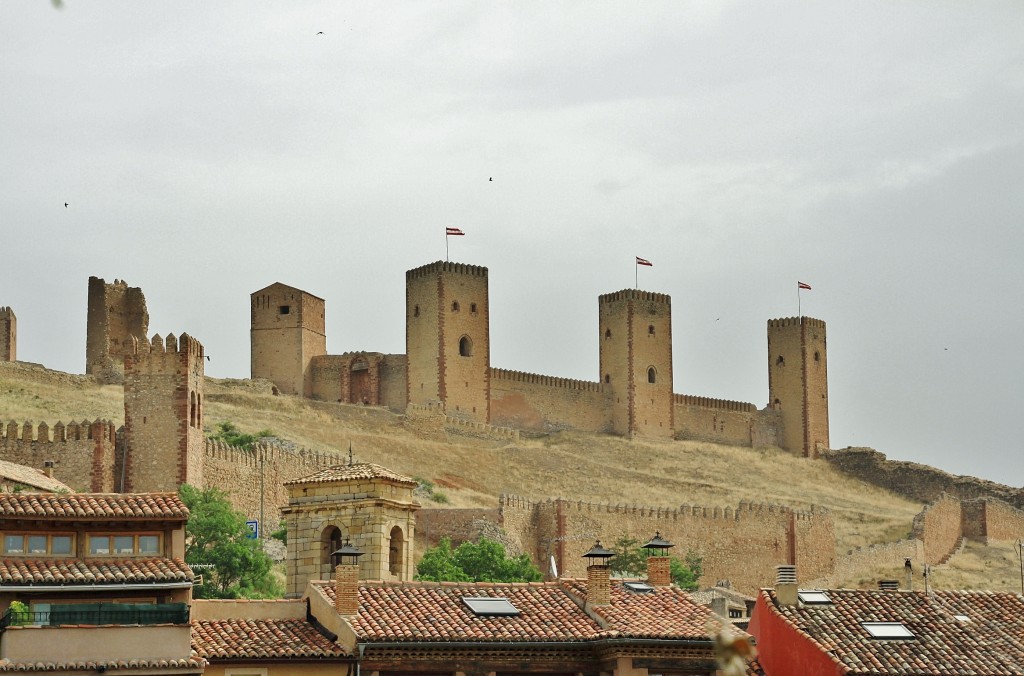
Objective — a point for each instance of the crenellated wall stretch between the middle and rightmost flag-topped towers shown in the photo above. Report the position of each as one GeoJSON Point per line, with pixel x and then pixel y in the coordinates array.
{"type": "Point", "coordinates": [706, 419]}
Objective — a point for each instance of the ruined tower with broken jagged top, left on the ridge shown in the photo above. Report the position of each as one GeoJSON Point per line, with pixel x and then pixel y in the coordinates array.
{"type": "Point", "coordinates": [117, 315]}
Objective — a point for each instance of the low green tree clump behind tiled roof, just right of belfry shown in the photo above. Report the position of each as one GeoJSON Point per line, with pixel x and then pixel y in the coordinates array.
{"type": "Point", "coordinates": [484, 561]}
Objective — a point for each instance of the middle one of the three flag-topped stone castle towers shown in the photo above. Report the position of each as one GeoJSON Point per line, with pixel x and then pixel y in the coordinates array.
{"type": "Point", "coordinates": [636, 362]}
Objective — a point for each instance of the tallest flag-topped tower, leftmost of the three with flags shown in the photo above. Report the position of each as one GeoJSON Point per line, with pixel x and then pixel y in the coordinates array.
{"type": "Point", "coordinates": [448, 339]}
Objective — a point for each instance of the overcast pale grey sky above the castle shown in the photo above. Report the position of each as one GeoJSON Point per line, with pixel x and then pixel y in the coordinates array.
{"type": "Point", "coordinates": [873, 150]}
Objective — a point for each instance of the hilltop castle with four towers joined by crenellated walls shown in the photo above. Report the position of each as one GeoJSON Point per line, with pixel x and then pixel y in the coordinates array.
{"type": "Point", "coordinates": [447, 367]}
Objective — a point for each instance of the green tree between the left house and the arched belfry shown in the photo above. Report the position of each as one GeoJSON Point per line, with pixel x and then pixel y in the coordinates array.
{"type": "Point", "coordinates": [217, 541]}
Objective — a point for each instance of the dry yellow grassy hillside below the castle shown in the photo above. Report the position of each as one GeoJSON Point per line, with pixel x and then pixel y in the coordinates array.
{"type": "Point", "coordinates": [474, 473]}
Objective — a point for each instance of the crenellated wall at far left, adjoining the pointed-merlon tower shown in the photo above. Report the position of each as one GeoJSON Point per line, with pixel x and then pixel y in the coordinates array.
{"type": "Point", "coordinates": [83, 454]}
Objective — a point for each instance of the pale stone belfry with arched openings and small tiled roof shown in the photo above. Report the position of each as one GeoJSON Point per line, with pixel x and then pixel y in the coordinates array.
{"type": "Point", "coordinates": [367, 504]}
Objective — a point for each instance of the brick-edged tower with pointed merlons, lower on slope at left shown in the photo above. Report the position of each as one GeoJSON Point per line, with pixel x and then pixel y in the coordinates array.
{"type": "Point", "coordinates": [164, 399]}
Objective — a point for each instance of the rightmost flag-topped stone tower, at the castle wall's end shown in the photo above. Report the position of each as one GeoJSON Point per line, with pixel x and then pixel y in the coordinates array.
{"type": "Point", "coordinates": [798, 383]}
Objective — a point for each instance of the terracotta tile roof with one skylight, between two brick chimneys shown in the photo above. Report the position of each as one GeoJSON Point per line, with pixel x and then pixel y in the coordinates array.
{"type": "Point", "coordinates": [435, 612]}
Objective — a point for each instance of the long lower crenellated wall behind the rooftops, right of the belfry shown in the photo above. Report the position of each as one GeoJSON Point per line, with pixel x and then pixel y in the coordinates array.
{"type": "Point", "coordinates": [743, 545]}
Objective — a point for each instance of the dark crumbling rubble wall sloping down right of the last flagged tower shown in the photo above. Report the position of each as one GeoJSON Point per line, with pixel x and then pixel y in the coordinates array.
{"type": "Point", "coordinates": [916, 482]}
